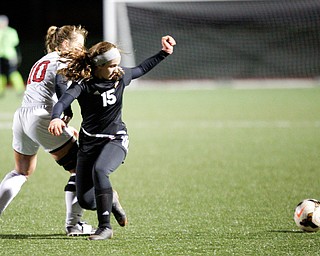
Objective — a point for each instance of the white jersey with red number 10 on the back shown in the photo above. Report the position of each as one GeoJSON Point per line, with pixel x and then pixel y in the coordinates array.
{"type": "Point", "coordinates": [41, 82]}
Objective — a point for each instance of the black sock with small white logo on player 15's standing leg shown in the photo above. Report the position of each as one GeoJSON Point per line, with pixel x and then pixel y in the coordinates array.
{"type": "Point", "coordinates": [104, 206]}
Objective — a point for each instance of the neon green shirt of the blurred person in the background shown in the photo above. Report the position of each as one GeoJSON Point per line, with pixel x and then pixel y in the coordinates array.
{"type": "Point", "coordinates": [8, 41]}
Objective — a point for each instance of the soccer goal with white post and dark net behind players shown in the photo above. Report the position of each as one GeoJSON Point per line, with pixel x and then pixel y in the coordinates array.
{"type": "Point", "coordinates": [220, 39]}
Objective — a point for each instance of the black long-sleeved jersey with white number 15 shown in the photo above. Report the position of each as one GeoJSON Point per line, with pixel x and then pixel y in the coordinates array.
{"type": "Point", "coordinates": [101, 100]}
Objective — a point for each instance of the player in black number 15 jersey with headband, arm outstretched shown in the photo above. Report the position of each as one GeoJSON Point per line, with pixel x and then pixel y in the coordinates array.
{"type": "Point", "coordinates": [103, 141]}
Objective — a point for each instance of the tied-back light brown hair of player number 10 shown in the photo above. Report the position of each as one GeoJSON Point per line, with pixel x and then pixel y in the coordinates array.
{"type": "Point", "coordinates": [55, 36]}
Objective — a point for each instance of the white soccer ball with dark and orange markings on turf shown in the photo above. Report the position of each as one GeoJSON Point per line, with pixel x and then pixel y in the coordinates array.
{"type": "Point", "coordinates": [307, 215]}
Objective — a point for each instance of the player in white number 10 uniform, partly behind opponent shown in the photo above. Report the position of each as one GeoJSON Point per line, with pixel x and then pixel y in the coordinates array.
{"type": "Point", "coordinates": [30, 128]}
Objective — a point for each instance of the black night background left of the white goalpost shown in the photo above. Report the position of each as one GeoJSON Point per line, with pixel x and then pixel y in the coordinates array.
{"type": "Point", "coordinates": [32, 18]}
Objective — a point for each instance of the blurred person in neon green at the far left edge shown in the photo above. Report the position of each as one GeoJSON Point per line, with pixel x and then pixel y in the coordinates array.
{"type": "Point", "coordinates": [9, 57]}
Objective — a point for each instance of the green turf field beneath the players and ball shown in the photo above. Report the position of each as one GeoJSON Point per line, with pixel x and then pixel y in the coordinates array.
{"type": "Point", "coordinates": [209, 172]}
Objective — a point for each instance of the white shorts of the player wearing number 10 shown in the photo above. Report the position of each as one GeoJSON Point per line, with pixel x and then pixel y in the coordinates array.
{"type": "Point", "coordinates": [30, 131]}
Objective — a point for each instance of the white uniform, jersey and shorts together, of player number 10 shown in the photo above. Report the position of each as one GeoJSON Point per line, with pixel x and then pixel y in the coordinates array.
{"type": "Point", "coordinates": [31, 120]}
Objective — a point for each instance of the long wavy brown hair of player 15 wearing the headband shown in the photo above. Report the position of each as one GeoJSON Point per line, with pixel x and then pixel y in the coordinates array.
{"type": "Point", "coordinates": [80, 63]}
